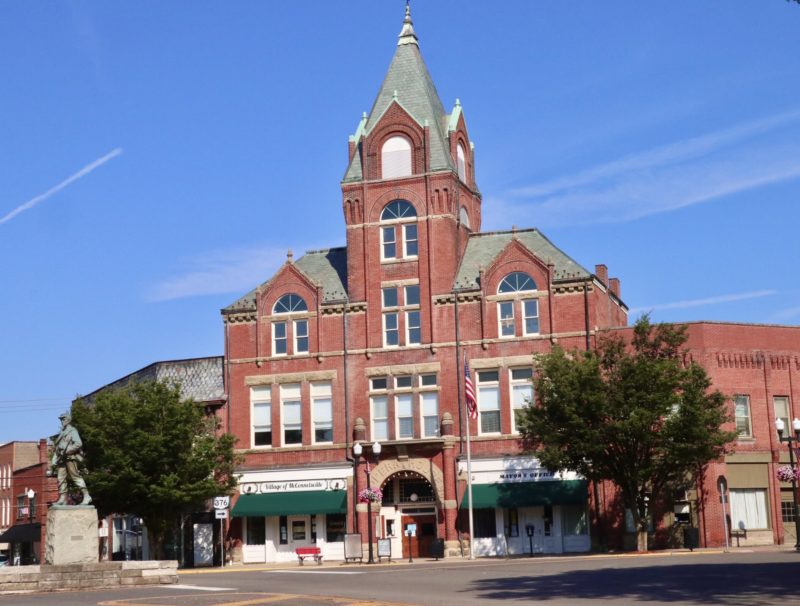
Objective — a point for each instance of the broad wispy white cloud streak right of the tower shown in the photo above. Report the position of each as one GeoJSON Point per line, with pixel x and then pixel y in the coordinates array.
{"type": "Point", "coordinates": [663, 179]}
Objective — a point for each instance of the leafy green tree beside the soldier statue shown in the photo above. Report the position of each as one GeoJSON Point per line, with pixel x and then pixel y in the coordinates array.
{"type": "Point", "coordinates": [150, 453]}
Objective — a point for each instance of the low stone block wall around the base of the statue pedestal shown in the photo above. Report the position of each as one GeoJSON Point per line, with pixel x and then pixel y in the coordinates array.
{"type": "Point", "coordinates": [87, 576]}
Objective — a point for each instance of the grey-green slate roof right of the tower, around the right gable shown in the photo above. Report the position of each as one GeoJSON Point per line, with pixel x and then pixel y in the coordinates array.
{"type": "Point", "coordinates": [482, 250]}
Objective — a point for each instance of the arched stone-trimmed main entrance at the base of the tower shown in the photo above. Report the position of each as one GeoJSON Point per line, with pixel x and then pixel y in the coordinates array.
{"type": "Point", "coordinates": [409, 504]}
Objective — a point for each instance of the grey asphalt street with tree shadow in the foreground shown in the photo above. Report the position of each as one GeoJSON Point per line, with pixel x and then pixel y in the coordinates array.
{"type": "Point", "coordinates": [734, 578]}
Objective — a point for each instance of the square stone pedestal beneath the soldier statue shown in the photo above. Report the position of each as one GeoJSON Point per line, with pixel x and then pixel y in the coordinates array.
{"type": "Point", "coordinates": [71, 535]}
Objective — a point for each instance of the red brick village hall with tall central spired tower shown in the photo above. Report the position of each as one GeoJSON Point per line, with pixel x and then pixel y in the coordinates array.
{"type": "Point", "coordinates": [367, 344]}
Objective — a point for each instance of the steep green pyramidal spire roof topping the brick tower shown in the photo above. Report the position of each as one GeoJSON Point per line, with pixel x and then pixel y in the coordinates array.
{"type": "Point", "coordinates": [408, 77]}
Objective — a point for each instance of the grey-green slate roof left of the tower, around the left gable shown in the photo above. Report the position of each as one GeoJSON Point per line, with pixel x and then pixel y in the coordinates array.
{"type": "Point", "coordinates": [326, 268]}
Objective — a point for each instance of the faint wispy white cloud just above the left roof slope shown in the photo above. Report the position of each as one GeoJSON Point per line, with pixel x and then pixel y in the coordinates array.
{"type": "Point", "coordinates": [222, 271]}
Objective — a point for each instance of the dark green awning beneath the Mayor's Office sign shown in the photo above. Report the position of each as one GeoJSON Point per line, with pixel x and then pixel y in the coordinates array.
{"type": "Point", "coordinates": [522, 494]}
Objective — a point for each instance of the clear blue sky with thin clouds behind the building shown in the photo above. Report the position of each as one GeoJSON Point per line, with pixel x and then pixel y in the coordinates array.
{"type": "Point", "coordinates": [158, 159]}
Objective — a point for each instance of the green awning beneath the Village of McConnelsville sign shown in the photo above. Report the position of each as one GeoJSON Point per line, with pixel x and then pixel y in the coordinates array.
{"type": "Point", "coordinates": [291, 503]}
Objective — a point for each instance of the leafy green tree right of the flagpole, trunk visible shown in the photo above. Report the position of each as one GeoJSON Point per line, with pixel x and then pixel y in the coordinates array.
{"type": "Point", "coordinates": [633, 413]}
